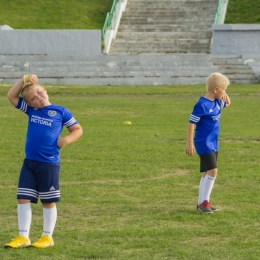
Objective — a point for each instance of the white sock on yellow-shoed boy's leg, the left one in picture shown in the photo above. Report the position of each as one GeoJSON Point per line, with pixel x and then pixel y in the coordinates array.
{"type": "Point", "coordinates": [24, 219]}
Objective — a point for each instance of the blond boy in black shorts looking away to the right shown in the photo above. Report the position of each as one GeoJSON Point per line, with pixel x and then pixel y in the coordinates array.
{"type": "Point", "coordinates": [206, 117]}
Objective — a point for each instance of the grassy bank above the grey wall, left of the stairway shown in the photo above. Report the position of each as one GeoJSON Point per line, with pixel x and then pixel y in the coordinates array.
{"type": "Point", "coordinates": [58, 14]}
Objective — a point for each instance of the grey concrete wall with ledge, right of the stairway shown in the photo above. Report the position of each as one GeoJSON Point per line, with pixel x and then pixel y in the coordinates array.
{"type": "Point", "coordinates": [232, 39]}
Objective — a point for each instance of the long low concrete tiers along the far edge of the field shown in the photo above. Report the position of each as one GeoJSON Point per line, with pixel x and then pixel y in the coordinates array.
{"type": "Point", "coordinates": [161, 69]}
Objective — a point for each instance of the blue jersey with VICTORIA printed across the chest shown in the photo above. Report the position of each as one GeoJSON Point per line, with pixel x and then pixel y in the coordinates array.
{"type": "Point", "coordinates": [44, 128]}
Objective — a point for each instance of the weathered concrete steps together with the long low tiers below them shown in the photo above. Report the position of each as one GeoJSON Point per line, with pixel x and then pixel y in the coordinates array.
{"type": "Point", "coordinates": [158, 43]}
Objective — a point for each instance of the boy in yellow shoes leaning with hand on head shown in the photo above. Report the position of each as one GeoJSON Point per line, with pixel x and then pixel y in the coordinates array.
{"type": "Point", "coordinates": [39, 175]}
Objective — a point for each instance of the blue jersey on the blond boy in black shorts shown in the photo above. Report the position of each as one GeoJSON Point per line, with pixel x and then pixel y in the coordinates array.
{"type": "Point", "coordinates": [206, 116]}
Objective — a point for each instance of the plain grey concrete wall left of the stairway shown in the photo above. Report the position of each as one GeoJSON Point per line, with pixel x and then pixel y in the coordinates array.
{"type": "Point", "coordinates": [58, 42]}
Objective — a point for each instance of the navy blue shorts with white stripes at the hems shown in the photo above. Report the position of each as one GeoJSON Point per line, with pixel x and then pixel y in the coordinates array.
{"type": "Point", "coordinates": [39, 179]}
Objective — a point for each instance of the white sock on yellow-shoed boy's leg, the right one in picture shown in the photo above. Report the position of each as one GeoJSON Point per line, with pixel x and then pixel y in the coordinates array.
{"type": "Point", "coordinates": [49, 221]}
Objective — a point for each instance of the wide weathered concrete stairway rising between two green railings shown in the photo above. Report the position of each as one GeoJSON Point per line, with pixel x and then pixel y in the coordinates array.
{"type": "Point", "coordinates": [165, 26]}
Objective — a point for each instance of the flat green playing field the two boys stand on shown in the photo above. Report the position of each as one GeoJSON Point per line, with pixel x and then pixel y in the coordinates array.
{"type": "Point", "coordinates": [130, 191]}
